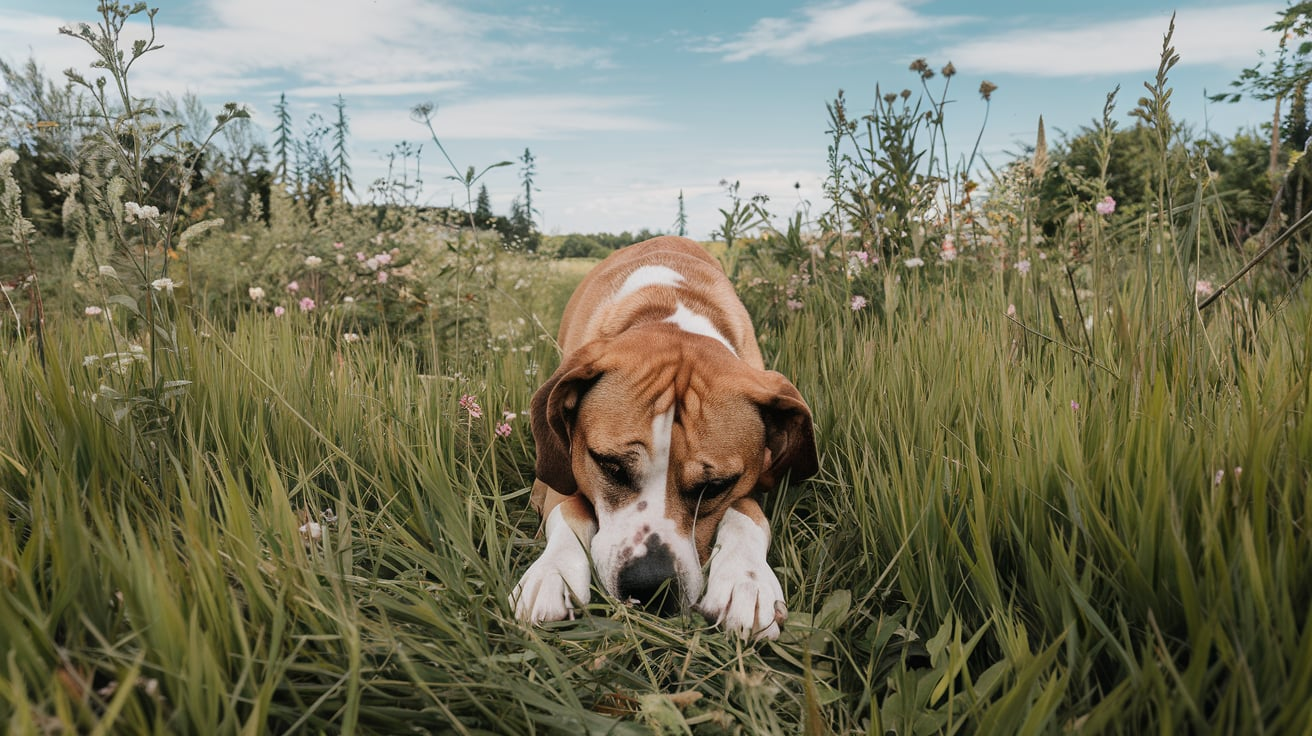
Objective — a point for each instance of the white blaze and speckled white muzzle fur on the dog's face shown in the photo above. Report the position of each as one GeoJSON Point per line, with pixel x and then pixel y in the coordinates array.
{"type": "Point", "coordinates": [632, 525]}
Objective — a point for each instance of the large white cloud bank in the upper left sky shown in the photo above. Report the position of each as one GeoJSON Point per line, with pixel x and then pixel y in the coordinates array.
{"type": "Point", "coordinates": [314, 45]}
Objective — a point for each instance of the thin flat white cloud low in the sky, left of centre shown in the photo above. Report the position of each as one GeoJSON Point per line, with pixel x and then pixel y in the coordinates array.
{"type": "Point", "coordinates": [512, 119]}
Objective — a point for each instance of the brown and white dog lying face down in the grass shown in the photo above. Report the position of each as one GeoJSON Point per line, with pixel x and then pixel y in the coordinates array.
{"type": "Point", "coordinates": [655, 439]}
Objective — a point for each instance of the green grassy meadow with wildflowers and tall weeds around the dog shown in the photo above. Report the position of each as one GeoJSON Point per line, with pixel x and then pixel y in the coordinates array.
{"type": "Point", "coordinates": [1065, 474]}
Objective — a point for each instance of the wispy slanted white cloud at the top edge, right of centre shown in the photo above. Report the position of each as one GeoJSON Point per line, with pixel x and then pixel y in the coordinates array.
{"type": "Point", "coordinates": [794, 39]}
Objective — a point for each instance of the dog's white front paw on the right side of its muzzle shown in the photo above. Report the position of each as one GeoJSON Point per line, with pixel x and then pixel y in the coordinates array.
{"type": "Point", "coordinates": [743, 595]}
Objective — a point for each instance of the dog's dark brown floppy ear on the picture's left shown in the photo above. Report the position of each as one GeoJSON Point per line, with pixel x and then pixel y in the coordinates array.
{"type": "Point", "coordinates": [553, 413]}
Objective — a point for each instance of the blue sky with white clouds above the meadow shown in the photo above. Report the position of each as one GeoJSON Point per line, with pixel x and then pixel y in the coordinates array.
{"type": "Point", "coordinates": [626, 104]}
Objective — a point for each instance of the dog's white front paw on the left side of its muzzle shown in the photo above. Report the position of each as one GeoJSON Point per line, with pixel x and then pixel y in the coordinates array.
{"type": "Point", "coordinates": [554, 584]}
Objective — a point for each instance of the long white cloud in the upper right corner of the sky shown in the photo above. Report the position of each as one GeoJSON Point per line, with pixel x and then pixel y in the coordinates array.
{"type": "Point", "coordinates": [1206, 36]}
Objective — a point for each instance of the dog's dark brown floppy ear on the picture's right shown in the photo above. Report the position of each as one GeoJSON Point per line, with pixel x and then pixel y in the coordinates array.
{"type": "Point", "coordinates": [789, 434]}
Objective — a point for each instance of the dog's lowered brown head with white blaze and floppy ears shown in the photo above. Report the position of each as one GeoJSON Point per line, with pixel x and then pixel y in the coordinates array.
{"type": "Point", "coordinates": [663, 431]}
